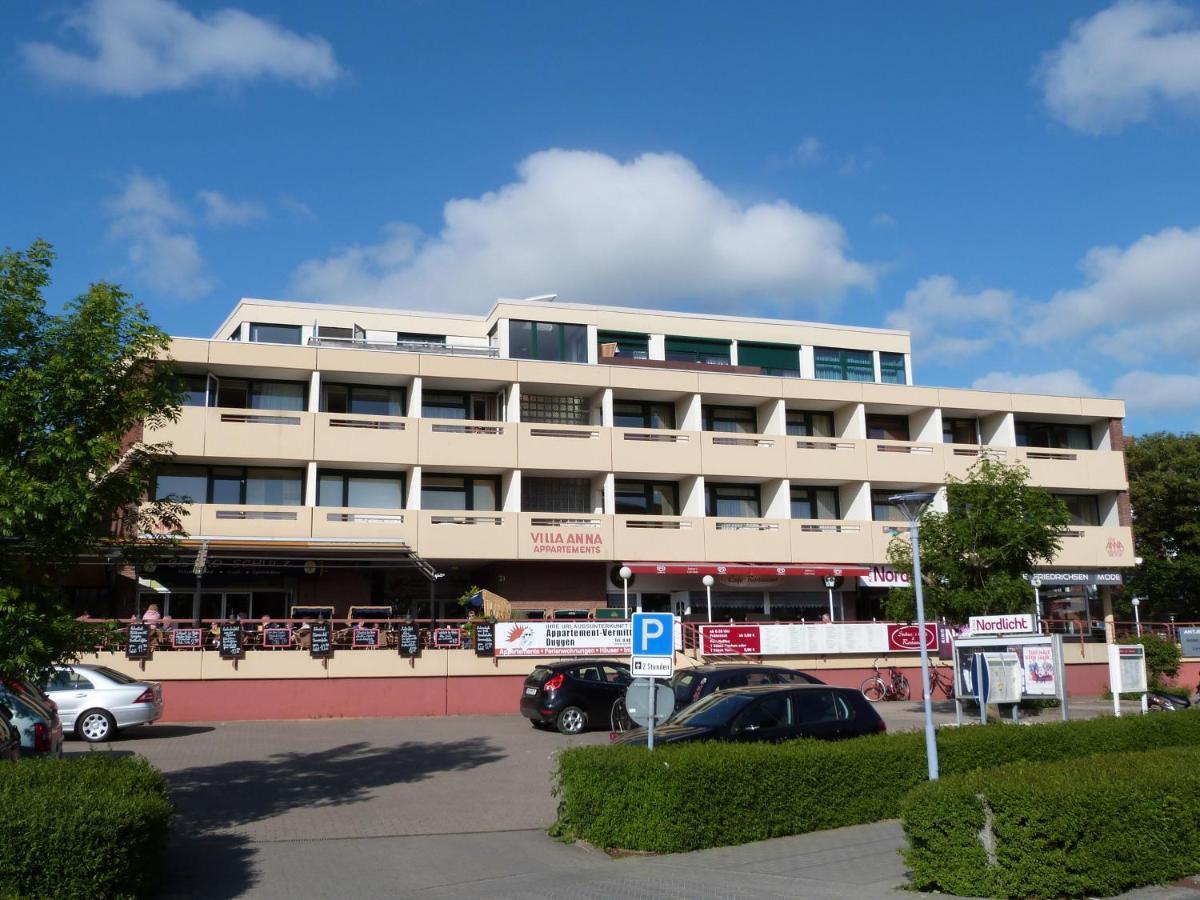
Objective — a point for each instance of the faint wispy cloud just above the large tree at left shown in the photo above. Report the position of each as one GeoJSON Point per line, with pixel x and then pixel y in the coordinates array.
{"type": "Point", "coordinates": [163, 255]}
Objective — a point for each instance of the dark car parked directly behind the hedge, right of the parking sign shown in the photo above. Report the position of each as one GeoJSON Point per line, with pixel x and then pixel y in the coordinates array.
{"type": "Point", "coordinates": [770, 713]}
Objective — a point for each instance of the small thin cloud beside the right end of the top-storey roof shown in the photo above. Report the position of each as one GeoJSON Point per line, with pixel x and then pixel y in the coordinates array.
{"type": "Point", "coordinates": [938, 314]}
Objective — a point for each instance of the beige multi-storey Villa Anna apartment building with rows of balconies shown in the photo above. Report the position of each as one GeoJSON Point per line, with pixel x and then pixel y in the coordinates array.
{"type": "Point", "coordinates": [343, 457]}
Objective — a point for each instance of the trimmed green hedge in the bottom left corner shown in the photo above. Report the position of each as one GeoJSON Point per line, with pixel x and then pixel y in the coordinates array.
{"type": "Point", "coordinates": [89, 826]}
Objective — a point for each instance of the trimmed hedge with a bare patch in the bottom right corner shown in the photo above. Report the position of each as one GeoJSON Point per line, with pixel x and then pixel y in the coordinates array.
{"type": "Point", "coordinates": [1059, 830]}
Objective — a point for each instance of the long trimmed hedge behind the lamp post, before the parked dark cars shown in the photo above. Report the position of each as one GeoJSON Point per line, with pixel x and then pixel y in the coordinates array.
{"type": "Point", "coordinates": [692, 796]}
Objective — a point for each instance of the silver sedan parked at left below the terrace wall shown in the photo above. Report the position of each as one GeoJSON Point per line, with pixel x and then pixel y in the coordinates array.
{"type": "Point", "coordinates": [97, 701]}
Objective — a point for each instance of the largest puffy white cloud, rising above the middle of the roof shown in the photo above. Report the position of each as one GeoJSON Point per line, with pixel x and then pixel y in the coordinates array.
{"type": "Point", "coordinates": [589, 227]}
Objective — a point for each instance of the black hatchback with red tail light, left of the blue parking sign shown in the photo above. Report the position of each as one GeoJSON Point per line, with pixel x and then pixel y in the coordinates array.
{"type": "Point", "coordinates": [573, 694]}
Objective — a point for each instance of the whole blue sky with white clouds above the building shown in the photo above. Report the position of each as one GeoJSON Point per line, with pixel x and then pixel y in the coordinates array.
{"type": "Point", "coordinates": [1017, 184]}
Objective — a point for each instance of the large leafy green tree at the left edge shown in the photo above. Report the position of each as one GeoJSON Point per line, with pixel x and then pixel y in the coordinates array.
{"type": "Point", "coordinates": [75, 392]}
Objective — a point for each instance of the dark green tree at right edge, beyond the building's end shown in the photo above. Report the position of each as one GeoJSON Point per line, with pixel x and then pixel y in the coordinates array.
{"type": "Point", "coordinates": [1165, 493]}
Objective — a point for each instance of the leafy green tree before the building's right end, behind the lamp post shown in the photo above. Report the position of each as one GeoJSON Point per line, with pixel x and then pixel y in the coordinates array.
{"type": "Point", "coordinates": [975, 556]}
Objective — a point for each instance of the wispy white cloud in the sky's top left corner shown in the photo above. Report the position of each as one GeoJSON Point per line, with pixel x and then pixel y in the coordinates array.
{"type": "Point", "coordinates": [139, 47]}
